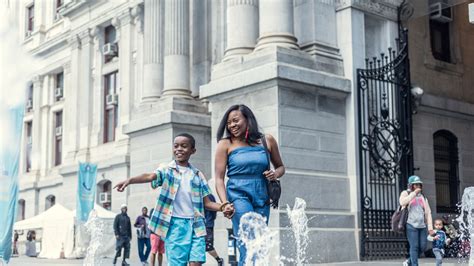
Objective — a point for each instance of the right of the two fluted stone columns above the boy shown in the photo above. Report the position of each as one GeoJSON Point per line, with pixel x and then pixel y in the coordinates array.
{"type": "Point", "coordinates": [176, 62]}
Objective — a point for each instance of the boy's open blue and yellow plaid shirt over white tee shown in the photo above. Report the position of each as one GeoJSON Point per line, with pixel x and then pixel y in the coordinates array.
{"type": "Point", "coordinates": [169, 178]}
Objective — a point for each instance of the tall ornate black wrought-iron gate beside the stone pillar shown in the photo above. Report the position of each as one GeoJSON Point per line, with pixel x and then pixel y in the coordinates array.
{"type": "Point", "coordinates": [384, 101]}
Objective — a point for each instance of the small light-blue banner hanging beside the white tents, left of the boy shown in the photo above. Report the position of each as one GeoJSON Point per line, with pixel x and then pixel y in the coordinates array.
{"type": "Point", "coordinates": [85, 190]}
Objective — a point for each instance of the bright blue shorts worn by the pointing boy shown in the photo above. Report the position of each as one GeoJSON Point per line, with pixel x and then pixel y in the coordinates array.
{"type": "Point", "coordinates": [182, 245]}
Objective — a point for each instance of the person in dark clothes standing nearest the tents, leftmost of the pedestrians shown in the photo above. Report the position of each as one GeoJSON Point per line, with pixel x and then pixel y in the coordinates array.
{"type": "Point", "coordinates": [123, 234]}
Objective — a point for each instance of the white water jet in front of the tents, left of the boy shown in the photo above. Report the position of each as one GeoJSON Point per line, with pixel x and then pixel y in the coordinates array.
{"type": "Point", "coordinates": [95, 227]}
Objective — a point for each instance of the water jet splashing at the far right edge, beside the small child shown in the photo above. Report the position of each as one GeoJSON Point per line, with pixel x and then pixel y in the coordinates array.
{"type": "Point", "coordinates": [466, 221]}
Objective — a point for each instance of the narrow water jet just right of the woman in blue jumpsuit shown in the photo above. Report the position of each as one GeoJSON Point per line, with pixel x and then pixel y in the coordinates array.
{"type": "Point", "coordinates": [299, 226]}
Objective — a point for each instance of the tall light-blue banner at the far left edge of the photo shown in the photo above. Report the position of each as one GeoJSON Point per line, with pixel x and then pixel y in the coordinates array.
{"type": "Point", "coordinates": [10, 143]}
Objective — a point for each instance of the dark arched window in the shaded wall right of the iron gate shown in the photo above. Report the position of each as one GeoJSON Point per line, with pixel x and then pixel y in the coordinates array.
{"type": "Point", "coordinates": [446, 170]}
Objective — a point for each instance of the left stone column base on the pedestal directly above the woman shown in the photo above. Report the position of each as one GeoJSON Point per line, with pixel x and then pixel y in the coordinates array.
{"type": "Point", "coordinates": [242, 27]}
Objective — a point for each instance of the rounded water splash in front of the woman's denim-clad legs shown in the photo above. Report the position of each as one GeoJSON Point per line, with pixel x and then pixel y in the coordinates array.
{"type": "Point", "coordinates": [257, 238]}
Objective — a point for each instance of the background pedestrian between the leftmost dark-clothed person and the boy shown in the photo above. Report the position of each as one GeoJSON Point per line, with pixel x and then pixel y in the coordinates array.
{"type": "Point", "coordinates": [143, 236]}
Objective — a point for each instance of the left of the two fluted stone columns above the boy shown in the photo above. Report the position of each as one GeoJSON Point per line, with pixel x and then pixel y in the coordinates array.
{"type": "Point", "coordinates": [153, 50]}
